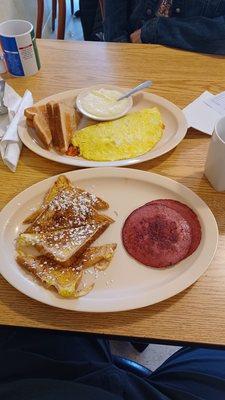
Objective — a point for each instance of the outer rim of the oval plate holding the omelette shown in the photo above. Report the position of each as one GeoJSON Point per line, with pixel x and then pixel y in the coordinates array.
{"type": "Point", "coordinates": [81, 162]}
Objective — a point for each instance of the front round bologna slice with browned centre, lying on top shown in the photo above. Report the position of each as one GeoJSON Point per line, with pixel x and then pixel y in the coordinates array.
{"type": "Point", "coordinates": [156, 236]}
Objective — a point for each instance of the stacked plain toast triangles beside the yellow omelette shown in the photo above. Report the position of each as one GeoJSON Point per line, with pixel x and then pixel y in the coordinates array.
{"type": "Point", "coordinates": [54, 123]}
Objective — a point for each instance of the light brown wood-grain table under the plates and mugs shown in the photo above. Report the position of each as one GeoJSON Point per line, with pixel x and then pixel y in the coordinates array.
{"type": "Point", "coordinates": [195, 315]}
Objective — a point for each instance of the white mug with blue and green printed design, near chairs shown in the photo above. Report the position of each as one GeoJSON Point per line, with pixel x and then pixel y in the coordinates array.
{"type": "Point", "coordinates": [19, 47]}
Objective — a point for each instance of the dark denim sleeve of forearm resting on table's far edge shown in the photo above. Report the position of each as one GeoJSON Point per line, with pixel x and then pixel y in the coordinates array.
{"type": "Point", "coordinates": [201, 34]}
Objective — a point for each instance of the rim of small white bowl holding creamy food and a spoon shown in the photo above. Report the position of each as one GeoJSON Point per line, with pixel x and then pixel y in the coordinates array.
{"type": "Point", "coordinates": [95, 117]}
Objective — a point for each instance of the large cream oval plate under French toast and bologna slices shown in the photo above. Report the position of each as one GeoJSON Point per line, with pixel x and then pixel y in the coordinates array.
{"type": "Point", "coordinates": [126, 284]}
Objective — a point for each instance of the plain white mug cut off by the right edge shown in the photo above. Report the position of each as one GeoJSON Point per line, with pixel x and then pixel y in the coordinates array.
{"type": "Point", "coordinates": [215, 162]}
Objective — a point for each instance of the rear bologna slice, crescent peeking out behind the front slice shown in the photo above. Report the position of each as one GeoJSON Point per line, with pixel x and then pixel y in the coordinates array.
{"type": "Point", "coordinates": [189, 216]}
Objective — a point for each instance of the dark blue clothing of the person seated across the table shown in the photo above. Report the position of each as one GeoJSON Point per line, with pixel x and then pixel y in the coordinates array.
{"type": "Point", "coordinates": [196, 25]}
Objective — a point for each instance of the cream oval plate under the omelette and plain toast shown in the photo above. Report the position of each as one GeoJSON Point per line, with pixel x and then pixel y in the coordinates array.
{"type": "Point", "coordinates": [173, 118]}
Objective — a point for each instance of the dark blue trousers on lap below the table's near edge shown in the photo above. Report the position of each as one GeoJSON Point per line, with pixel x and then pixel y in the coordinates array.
{"type": "Point", "coordinates": [43, 365]}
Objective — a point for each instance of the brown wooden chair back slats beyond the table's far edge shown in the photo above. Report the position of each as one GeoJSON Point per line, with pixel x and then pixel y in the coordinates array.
{"type": "Point", "coordinates": [61, 16]}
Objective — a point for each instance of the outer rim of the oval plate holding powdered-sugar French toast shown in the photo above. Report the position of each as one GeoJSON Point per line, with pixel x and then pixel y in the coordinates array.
{"type": "Point", "coordinates": [120, 172]}
